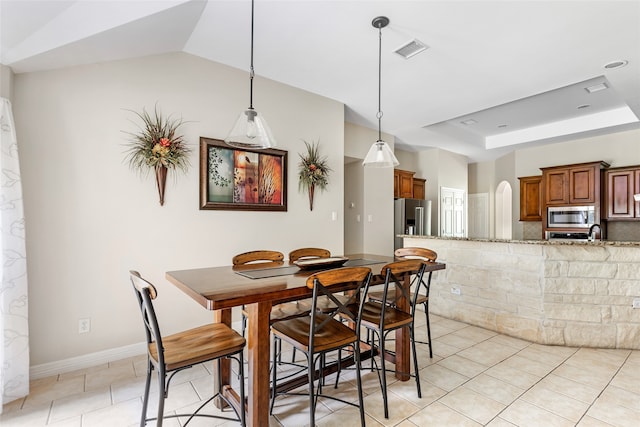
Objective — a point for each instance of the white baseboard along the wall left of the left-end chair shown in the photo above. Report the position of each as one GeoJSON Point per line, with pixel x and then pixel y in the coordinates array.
{"type": "Point", "coordinates": [86, 361]}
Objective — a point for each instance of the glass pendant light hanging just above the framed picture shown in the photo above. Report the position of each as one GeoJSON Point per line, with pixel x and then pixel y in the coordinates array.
{"type": "Point", "coordinates": [250, 130]}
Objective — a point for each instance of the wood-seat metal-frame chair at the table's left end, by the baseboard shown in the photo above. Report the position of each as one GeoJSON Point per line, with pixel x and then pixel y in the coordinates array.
{"type": "Point", "coordinates": [171, 354]}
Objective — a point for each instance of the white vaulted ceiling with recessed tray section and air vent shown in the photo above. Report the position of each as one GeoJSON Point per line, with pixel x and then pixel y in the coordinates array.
{"type": "Point", "coordinates": [497, 75]}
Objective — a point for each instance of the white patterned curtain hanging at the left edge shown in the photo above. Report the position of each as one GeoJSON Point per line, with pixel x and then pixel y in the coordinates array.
{"type": "Point", "coordinates": [14, 328]}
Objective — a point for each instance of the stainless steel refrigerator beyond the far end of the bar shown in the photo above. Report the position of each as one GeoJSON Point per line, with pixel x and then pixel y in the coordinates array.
{"type": "Point", "coordinates": [411, 216]}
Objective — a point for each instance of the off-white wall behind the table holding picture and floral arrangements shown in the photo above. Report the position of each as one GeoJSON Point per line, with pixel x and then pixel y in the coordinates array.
{"type": "Point", "coordinates": [89, 219]}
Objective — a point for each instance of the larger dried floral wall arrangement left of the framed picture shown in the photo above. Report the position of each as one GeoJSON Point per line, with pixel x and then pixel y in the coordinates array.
{"type": "Point", "coordinates": [157, 147]}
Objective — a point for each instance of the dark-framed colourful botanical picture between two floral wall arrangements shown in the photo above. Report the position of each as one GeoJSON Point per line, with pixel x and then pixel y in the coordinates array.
{"type": "Point", "coordinates": [241, 179]}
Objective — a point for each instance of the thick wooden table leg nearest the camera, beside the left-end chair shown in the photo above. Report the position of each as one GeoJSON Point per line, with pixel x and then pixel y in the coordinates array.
{"type": "Point", "coordinates": [258, 345]}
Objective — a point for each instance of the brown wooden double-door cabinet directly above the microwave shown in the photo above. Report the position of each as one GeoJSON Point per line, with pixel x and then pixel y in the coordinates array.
{"type": "Point", "coordinates": [572, 184]}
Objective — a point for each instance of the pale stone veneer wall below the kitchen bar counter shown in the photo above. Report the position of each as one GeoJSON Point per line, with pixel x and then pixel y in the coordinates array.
{"type": "Point", "coordinates": [565, 293]}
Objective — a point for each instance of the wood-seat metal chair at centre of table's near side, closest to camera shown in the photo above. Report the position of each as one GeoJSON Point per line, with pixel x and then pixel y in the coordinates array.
{"type": "Point", "coordinates": [320, 332]}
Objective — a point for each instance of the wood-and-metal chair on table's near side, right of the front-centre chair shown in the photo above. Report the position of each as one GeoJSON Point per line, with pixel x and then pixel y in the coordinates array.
{"type": "Point", "coordinates": [381, 317]}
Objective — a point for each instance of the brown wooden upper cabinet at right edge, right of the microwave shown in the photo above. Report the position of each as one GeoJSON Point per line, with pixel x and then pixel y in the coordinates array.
{"type": "Point", "coordinates": [621, 185]}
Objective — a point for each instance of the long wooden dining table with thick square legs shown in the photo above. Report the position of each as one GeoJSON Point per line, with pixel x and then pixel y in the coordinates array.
{"type": "Point", "coordinates": [258, 287]}
